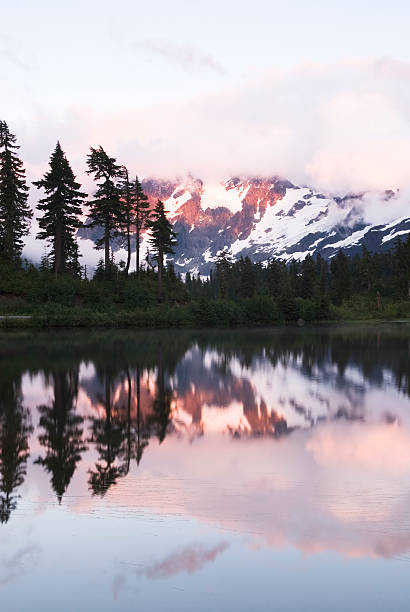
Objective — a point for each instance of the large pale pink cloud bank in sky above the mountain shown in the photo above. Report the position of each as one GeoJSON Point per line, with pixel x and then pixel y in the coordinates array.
{"type": "Point", "coordinates": [339, 128]}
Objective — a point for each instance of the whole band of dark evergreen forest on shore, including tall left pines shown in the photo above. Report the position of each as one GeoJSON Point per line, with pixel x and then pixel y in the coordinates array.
{"type": "Point", "coordinates": [59, 292]}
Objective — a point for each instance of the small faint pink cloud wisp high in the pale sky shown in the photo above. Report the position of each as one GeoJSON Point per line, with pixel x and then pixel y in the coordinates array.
{"type": "Point", "coordinates": [186, 57]}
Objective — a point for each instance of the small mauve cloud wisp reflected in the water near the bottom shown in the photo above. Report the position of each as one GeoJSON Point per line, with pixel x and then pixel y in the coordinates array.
{"type": "Point", "coordinates": [189, 560]}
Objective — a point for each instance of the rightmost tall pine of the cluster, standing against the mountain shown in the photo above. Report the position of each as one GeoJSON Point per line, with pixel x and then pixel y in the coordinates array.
{"type": "Point", "coordinates": [163, 239]}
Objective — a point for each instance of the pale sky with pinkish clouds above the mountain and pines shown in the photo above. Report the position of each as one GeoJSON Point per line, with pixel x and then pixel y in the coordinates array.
{"type": "Point", "coordinates": [318, 92]}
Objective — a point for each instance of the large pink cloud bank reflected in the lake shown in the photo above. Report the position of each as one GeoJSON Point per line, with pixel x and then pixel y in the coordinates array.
{"type": "Point", "coordinates": [315, 490]}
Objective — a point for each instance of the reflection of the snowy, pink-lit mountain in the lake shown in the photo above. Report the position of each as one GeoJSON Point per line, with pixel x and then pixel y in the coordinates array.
{"type": "Point", "coordinates": [270, 388]}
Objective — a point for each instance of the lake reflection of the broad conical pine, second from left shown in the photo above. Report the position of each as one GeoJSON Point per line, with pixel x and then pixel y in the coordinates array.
{"type": "Point", "coordinates": [63, 432]}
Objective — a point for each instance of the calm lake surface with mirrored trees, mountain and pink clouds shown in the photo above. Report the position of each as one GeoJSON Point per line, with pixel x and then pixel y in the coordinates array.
{"type": "Point", "coordinates": [244, 471]}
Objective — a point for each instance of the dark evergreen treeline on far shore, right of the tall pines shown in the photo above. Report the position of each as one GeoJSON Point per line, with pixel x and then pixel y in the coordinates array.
{"type": "Point", "coordinates": [308, 289]}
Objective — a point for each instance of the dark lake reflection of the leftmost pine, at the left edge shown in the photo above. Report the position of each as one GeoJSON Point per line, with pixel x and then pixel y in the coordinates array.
{"type": "Point", "coordinates": [15, 428]}
